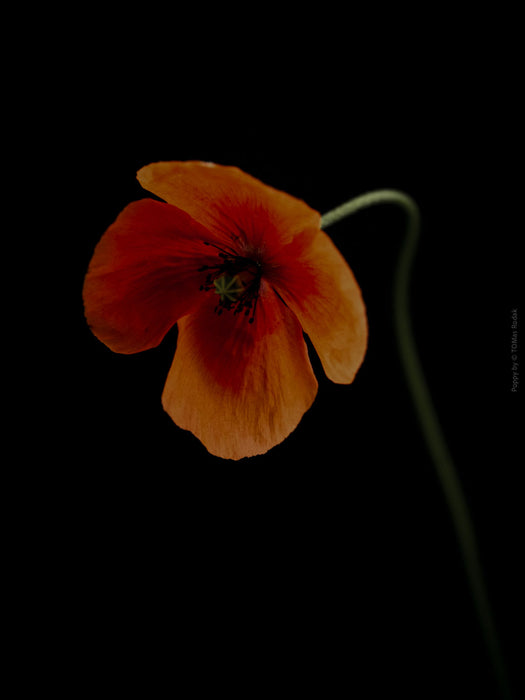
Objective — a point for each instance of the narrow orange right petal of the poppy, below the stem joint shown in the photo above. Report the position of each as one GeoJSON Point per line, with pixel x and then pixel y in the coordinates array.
{"type": "Point", "coordinates": [321, 290]}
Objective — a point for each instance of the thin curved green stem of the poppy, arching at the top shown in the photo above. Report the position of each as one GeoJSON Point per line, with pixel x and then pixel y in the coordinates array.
{"type": "Point", "coordinates": [427, 415]}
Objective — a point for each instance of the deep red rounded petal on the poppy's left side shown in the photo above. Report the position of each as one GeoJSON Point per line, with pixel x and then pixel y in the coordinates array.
{"type": "Point", "coordinates": [144, 275]}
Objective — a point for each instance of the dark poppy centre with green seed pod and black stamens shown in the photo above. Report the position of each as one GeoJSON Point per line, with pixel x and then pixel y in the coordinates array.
{"type": "Point", "coordinates": [235, 280]}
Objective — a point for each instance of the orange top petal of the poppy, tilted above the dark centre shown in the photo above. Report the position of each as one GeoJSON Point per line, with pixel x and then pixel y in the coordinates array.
{"type": "Point", "coordinates": [228, 201]}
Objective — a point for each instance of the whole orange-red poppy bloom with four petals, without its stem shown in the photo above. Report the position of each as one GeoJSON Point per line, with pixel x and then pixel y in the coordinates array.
{"type": "Point", "coordinates": [243, 269]}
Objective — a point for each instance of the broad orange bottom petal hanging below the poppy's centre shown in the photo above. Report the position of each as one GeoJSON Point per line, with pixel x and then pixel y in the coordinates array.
{"type": "Point", "coordinates": [240, 387]}
